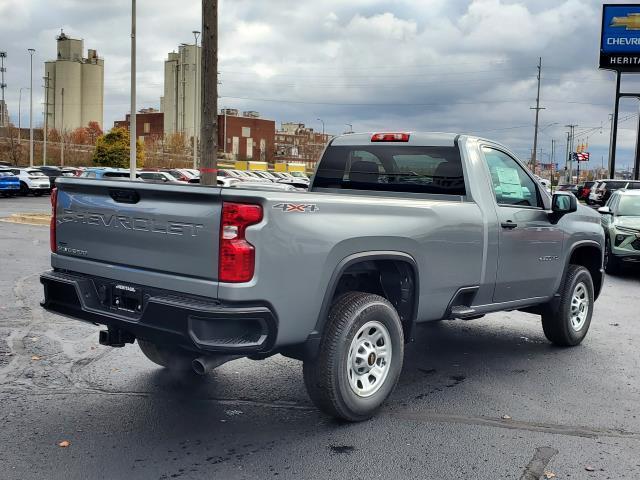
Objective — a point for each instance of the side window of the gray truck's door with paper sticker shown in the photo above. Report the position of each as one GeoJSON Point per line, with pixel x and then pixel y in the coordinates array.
{"type": "Point", "coordinates": [511, 184]}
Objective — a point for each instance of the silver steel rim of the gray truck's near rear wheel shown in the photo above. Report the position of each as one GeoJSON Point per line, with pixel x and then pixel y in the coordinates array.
{"type": "Point", "coordinates": [369, 358]}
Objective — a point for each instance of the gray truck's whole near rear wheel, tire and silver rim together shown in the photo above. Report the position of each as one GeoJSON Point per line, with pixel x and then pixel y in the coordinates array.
{"type": "Point", "coordinates": [360, 357]}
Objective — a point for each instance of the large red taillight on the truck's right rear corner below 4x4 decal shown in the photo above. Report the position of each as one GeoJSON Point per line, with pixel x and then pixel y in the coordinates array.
{"type": "Point", "coordinates": [237, 256]}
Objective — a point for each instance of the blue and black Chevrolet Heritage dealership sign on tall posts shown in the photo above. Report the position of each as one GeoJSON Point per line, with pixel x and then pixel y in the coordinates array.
{"type": "Point", "coordinates": [620, 39]}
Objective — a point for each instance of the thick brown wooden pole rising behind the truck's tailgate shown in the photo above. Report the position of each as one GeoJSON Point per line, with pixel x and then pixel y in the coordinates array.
{"type": "Point", "coordinates": [209, 83]}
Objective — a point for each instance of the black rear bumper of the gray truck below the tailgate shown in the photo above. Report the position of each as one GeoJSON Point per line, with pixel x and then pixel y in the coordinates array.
{"type": "Point", "coordinates": [169, 318]}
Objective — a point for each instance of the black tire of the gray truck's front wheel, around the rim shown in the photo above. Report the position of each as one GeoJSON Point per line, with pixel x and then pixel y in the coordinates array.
{"type": "Point", "coordinates": [557, 323]}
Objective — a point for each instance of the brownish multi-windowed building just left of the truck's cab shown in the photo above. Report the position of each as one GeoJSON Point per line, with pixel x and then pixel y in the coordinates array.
{"type": "Point", "coordinates": [296, 143]}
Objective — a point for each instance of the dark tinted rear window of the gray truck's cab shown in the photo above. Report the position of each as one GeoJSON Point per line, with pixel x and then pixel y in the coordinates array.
{"type": "Point", "coordinates": [392, 168]}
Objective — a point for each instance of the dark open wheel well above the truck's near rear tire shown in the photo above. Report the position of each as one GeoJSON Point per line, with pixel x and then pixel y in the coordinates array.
{"type": "Point", "coordinates": [394, 280]}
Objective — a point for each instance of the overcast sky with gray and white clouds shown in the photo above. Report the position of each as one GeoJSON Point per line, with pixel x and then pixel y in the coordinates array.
{"type": "Point", "coordinates": [449, 65]}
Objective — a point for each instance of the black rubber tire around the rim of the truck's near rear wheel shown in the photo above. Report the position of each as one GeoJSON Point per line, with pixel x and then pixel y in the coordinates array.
{"type": "Point", "coordinates": [326, 376]}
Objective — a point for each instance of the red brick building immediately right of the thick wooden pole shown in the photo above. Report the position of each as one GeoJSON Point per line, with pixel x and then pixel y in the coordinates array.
{"type": "Point", "coordinates": [246, 136]}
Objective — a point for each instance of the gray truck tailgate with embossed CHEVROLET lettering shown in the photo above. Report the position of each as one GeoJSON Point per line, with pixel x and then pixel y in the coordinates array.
{"type": "Point", "coordinates": [164, 228]}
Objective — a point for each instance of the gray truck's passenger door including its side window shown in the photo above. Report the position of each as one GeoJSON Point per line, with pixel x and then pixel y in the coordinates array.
{"type": "Point", "coordinates": [530, 246]}
